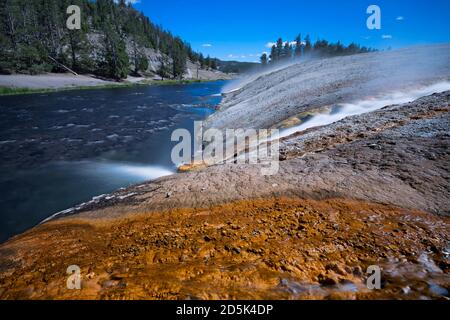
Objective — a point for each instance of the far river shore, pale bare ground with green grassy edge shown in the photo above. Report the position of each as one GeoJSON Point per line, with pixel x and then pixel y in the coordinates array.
{"type": "Point", "coordinates": [26, 84]}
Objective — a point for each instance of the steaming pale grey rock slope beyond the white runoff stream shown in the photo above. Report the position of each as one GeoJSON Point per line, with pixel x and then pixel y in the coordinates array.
{"type": "Point", "coordinates": [265, 99]}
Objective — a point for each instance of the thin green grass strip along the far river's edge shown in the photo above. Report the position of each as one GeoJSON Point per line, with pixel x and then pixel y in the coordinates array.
{"type": "Point", "coordinates": [8, 91]}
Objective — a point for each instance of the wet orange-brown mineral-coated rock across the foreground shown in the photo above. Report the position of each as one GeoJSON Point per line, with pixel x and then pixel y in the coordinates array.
{"type": "Point", "coordinates": [261, 249]}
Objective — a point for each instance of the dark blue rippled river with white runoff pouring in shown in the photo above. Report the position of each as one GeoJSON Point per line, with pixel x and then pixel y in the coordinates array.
{"type": "Point", "coordinates": [61, 149]}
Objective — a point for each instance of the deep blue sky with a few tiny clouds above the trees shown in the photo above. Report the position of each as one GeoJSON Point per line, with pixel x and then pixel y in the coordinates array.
{"type": "Point", "coordinates": [240, 30]}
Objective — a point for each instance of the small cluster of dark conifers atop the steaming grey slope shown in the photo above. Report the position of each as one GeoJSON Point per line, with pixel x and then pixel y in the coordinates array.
{"type": "Point", "coordinates": [285, 50]}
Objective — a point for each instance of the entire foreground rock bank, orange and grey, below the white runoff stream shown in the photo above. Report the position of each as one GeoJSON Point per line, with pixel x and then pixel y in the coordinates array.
{"type": "Point", "coordinates": [369, 189]}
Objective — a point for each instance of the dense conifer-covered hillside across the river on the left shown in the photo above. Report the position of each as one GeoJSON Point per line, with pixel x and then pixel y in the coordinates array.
{"type": "Point", "coordinates": [111, 43]}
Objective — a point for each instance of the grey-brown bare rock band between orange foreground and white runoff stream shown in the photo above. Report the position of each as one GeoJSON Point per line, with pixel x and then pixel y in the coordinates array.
{"type": "Point", "coordinates": [398, 155]}
